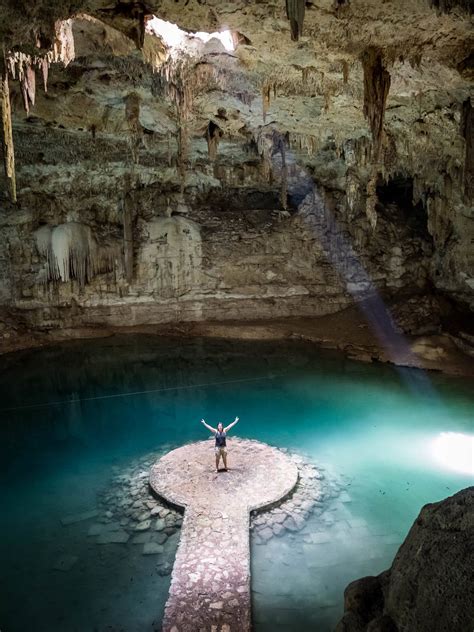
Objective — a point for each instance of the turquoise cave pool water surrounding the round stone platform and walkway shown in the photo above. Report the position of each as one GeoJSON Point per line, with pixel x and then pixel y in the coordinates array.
{"type": "Point", "coordinates": [66, 426]}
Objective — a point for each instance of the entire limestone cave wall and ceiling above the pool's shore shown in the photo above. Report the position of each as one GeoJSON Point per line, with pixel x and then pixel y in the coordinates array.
{"type": "Point", "coordinates": [239, 183]}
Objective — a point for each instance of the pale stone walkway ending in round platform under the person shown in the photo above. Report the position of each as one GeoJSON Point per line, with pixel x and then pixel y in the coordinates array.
{"type": "Point", "coordinates": [210, 585]}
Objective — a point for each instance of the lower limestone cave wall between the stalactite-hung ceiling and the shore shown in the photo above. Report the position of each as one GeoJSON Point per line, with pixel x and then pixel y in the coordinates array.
{"type": "Point", "coordinates": [208, 263]}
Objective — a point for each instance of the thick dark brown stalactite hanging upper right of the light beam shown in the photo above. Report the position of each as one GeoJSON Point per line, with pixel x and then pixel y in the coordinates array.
{"type": "Point", "coordinates": [376, 89]}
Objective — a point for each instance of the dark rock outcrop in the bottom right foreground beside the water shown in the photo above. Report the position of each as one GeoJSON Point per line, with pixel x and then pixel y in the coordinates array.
{"type": "Point", "coordinates": [430, 584]}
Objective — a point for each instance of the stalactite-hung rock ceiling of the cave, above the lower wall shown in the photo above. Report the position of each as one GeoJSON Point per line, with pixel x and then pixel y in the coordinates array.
{"type": "Point", "coordinates": [349, 94]}
